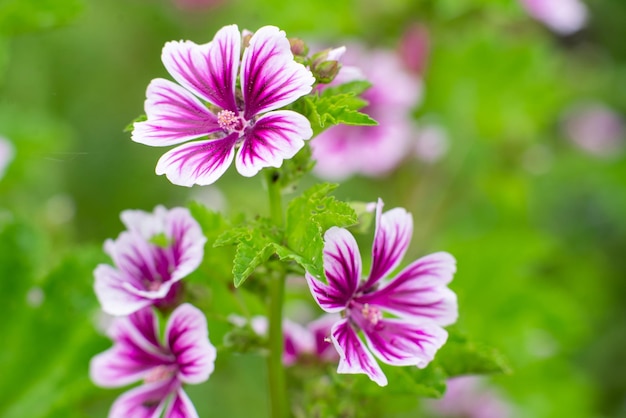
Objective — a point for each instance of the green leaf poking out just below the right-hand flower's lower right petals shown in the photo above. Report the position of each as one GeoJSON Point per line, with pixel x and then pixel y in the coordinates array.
{"type": "Point", "coordinates": [460, 356]}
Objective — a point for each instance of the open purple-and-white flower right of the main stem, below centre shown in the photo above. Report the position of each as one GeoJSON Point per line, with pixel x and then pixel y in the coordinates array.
{"type": "Point", "coordinates": [401, 318]}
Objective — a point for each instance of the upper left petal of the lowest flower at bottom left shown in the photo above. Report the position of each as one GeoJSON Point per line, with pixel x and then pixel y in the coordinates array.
{"type": "Point", "coordinates": [135, 353]}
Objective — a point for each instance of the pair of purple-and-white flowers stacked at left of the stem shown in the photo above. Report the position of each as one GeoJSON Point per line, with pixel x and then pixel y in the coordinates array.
{"type": "Point", "coordinates": [151, 257]}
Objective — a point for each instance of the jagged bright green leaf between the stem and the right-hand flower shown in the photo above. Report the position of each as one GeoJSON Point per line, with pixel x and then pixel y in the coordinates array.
{"type": "Point", "coordinates": [308, 217]}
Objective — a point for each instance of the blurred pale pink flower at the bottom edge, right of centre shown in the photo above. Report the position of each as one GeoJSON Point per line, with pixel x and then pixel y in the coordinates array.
{"type": "Point", "coordinates": [470, 397]}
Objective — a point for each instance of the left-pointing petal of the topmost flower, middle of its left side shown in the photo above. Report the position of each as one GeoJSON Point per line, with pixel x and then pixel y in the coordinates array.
{"type": "Point", "coordinates": [174, 116]}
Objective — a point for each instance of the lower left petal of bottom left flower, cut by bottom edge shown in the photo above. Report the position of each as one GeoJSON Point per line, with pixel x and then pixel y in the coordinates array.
{"type": "Point", "coordinates": [145, 401]}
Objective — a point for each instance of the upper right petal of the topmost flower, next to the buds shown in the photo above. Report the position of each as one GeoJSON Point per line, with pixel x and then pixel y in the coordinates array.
{"type": "Point", "coordinates": [270, 78]}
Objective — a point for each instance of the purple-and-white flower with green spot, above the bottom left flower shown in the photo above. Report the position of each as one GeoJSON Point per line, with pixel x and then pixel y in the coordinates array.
{"type": "Point", "coordinates": [150, 259]}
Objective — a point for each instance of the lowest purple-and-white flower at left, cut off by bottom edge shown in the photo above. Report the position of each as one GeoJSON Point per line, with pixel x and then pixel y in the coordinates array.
{"type": "Point", "coordinates": [186, 356]}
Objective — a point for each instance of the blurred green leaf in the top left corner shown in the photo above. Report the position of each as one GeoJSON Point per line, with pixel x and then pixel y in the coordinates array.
{"type": "Point", "coordinates": [19, 16]}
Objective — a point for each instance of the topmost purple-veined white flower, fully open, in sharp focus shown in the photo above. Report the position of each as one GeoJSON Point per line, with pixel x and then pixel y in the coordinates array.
{"type": "Point", "coordinates": [216, 116]}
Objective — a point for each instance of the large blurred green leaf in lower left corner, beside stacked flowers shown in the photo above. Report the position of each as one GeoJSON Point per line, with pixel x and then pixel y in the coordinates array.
{"type": "Point", "coordinates": [50, 336]}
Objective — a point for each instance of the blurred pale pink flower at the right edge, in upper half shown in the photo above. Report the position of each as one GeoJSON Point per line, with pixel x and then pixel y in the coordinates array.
{"type": "Point", "coordinates": [595, 128]}
